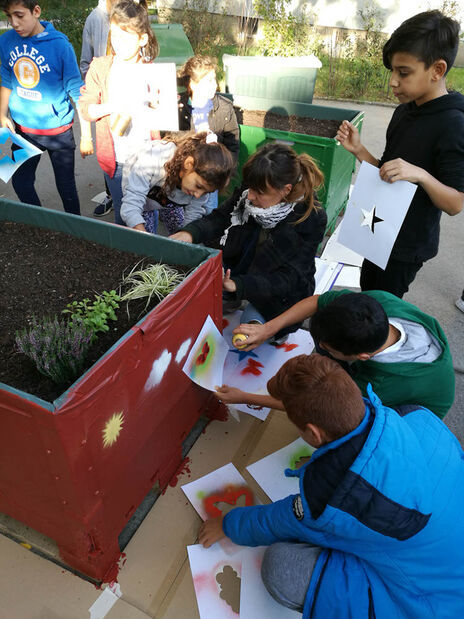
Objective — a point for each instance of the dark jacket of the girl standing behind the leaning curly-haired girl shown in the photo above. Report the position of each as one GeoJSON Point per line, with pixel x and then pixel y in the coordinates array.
{"type": "Point", "coordinates": [222, 121]}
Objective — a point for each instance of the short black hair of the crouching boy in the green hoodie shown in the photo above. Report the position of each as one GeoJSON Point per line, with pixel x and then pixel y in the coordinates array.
{"type": "Point", "coordinates": [352, 323]}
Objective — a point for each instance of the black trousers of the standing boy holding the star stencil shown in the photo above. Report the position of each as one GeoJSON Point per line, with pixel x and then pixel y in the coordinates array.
{"type": "Point", "coordinates": [396, 278]}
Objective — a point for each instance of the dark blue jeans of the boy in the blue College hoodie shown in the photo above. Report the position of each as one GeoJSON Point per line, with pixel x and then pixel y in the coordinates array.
{"type": "Point", "coordinates": [61, 149]}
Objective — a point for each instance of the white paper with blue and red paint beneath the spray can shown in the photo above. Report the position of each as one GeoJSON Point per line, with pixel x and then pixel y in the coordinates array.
{"type": "Point", "coordinates": [250, 371]}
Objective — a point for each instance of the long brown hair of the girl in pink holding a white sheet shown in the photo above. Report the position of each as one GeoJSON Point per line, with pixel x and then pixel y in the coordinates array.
{"type": "Point", "coordinates": [133, 16]}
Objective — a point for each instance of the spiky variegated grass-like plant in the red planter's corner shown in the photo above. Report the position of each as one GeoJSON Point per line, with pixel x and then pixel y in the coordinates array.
{"type": "Point", "coordinates": [152, 281]}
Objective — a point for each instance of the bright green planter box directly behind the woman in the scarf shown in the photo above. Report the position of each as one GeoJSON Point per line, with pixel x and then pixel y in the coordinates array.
{"type": "Point", "coordinates": [336, 163]}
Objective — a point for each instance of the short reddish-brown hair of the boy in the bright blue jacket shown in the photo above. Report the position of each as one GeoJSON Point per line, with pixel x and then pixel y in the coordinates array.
{"type": "Point", "coordinates": [315, 389]}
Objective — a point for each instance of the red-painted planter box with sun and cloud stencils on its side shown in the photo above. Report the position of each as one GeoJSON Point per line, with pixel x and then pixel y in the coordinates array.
{"type": "Point", "coordinates": [77, 468]}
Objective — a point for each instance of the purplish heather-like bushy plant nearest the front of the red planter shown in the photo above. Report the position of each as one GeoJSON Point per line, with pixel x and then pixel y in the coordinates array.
{"type": "Point", "coordinates": [57, 347]}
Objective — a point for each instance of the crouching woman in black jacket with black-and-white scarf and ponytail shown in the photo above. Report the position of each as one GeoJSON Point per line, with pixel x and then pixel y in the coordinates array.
{"type": "Point", "coordinates": [269, 233]}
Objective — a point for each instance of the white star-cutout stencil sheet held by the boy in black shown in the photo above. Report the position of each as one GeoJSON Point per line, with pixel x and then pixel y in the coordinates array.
{"type": "Point", "coordinates": [375, 214]}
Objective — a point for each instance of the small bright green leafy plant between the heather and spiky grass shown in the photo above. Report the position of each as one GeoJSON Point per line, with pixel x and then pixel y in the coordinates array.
{"type": "Point", "coordinates": [95, 314]}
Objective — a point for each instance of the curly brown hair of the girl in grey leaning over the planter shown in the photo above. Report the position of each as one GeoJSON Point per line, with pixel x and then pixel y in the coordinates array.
{"type": "Point", "coordinates": [212, 162]}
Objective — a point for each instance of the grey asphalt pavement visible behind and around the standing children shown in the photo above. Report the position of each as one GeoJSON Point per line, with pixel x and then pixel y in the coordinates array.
{"type": "Point", "coordinates": [435, 289]}
